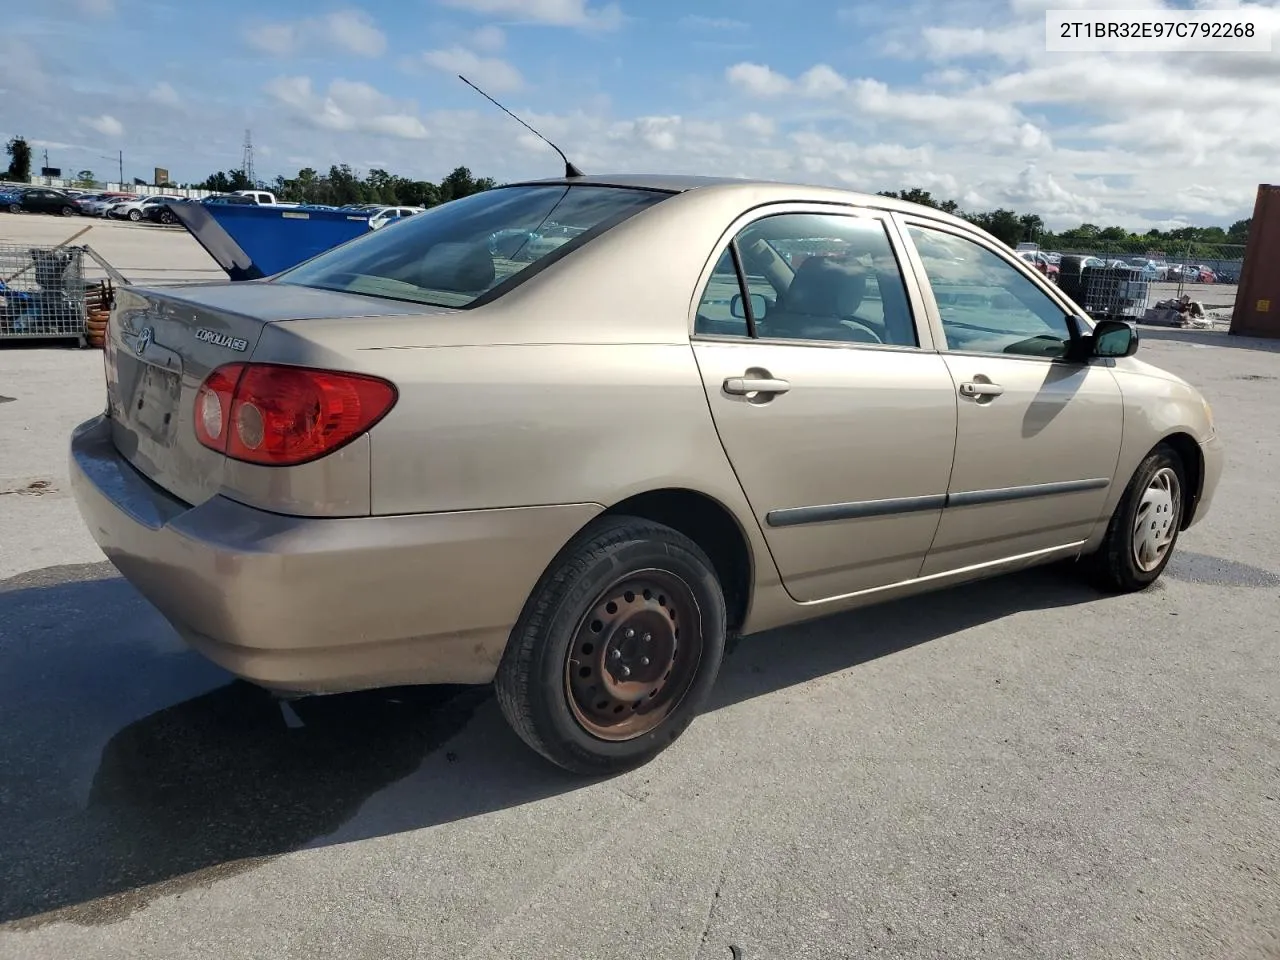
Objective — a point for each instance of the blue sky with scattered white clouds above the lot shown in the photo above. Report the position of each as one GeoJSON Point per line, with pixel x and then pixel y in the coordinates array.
{"type": "Point", "coordinates": [958, 97]}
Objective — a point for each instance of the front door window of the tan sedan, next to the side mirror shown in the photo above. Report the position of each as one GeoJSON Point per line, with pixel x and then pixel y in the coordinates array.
{"type": "Point", "coordinates": [986, 305]}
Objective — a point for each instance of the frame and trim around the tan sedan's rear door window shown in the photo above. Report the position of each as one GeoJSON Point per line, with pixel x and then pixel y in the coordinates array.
{"type": "Point", "coordinates": [902, 250]}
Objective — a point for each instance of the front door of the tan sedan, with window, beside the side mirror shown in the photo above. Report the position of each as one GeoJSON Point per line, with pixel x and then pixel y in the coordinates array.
{"type": "Point", "coordinates": [1039, 436]}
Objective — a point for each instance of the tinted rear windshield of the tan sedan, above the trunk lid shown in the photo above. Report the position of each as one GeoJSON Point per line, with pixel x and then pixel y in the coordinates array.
{"type": "Point", "coordinates": [472, 250]}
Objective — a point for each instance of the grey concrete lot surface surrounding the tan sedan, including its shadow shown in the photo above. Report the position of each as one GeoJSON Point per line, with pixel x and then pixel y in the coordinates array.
{"type": "Point", "coordinates": [1020, 769]}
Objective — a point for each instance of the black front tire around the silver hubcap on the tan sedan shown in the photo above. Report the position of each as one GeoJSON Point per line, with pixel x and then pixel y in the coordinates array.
{"type": "Point", "coordinates": [1116, 568]}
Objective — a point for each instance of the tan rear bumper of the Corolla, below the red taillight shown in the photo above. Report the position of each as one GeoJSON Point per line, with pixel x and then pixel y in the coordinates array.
{"type": "Point", "coordinates": [322, 605]}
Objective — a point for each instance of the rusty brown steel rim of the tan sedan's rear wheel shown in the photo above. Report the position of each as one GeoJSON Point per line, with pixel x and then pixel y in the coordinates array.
{"type": "Point", "coordinates": [634, 656]}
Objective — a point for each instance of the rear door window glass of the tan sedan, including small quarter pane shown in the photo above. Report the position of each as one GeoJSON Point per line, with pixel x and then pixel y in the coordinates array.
{"type": "Point", "coordinates": [812, 277]}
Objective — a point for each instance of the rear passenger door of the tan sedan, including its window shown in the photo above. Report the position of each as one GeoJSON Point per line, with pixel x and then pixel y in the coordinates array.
{"type": "Point", "coordinates": [835, 412]}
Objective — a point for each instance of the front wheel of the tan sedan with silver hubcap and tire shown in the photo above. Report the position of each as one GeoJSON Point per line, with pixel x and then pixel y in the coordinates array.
{"type": "Point", "coordinates": [1144, 531]}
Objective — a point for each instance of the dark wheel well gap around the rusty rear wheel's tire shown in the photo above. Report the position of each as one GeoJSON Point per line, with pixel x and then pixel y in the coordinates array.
{"type": "Point", "coordinates": [707, 523]}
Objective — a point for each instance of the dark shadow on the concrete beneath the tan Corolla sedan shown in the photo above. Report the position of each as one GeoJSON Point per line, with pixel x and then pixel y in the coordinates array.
{"type": "Point", "coordinates": [132, 769]}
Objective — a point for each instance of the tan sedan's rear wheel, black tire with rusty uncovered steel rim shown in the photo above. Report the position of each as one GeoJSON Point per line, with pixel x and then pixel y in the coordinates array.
{"type": "Point", "coordinates": [538, 680]}
